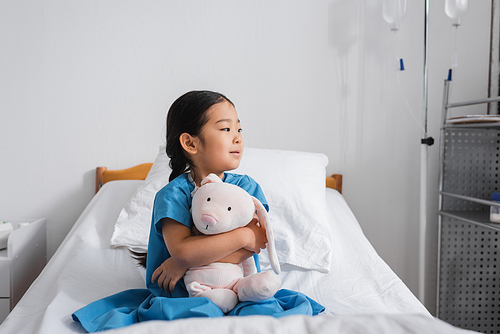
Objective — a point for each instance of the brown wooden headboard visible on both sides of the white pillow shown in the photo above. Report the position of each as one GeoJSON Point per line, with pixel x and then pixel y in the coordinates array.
{"type": "Point", "coordinates": [139, 172]}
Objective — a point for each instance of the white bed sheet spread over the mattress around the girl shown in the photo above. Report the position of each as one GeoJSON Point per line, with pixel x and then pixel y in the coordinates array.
{"type": "Point", "coordinates": [360, 290]}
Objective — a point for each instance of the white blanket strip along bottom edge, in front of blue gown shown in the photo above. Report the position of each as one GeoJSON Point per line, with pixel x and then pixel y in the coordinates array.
{"type": "Point", "coordinates": [328, 324]}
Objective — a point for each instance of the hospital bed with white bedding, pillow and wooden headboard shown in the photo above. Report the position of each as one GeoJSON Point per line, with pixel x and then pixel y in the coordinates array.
{"type": "Point", "coordinates": [321, 247]}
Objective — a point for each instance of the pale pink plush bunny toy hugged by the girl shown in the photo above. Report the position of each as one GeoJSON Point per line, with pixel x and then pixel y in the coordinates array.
{"type": "Point", "coordinates": [221, 207]}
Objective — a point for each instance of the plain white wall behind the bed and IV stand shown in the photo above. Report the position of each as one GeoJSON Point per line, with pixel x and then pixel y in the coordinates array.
{"type": "Point", "coordinates": [88, 83]}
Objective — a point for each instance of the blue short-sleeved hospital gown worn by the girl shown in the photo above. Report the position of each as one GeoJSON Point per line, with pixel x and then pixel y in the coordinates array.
{"type": "Point", "coordinates": [136, 305]}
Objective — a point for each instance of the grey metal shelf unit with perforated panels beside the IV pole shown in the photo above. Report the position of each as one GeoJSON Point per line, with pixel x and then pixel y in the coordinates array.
{"type": "Point", "coordinates": [468, 242]}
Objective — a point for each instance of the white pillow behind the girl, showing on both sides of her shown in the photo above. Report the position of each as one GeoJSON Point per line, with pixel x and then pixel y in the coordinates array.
{"type": "Point", "coordinates": [294, 185]}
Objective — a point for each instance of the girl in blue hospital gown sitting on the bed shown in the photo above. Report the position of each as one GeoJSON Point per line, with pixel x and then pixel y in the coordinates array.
{"type": "Point", "coordinates": [203, 137]}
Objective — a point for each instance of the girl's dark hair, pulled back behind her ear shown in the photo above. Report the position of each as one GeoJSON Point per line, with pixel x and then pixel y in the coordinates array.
{"type": "Point", "coordinates": [188, 114]}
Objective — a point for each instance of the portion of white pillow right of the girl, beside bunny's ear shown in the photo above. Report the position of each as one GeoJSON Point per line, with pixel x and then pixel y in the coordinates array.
{"type": "Point", "coordinates": [294, 186]}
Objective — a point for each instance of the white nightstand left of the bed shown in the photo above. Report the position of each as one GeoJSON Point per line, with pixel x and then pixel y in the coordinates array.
{"type": "Point", "coordinates": [21, 262]}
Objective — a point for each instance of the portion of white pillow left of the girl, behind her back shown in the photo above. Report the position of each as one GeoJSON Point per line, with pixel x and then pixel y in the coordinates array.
{"type": "Point", "coordinates": [133, 223]}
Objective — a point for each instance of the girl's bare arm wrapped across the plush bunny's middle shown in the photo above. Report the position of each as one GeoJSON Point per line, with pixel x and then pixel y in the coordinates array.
{"type": "Point", "coordinates": [194, 251]}
